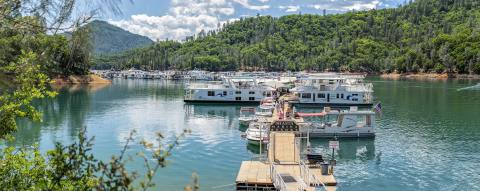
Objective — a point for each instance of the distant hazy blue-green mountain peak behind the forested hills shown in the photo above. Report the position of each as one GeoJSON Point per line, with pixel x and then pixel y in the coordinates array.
{"type": "Point", "coordinates": [108, 38]}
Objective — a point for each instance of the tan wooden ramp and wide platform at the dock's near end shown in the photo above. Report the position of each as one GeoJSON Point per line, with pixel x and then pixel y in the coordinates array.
{"type": "Point", "coordinates": [283, 170]}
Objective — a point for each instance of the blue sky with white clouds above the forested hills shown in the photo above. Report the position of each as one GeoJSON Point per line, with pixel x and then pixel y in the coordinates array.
{"type": "Point", "coordinates": [177, 19]}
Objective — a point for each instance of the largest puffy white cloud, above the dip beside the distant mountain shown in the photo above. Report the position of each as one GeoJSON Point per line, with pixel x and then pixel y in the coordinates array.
{"type": "Point", "coordinates": [185, 18]}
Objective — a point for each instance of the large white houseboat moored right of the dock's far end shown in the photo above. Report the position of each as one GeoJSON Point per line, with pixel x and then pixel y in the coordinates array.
{"type": "Point", "coordinates": [334, 90]}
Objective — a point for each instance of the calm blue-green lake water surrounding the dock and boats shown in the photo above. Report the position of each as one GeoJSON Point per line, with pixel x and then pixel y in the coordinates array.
{"type": "Point", "coordinates": [428, 137]}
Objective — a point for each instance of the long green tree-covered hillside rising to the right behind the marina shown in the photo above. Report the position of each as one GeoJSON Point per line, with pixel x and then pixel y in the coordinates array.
{"type": "Point", "coordinates": [423, 36]}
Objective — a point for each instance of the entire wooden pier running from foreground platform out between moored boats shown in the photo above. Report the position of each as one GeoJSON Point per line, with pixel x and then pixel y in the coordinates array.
{"type": "Point", "coordinates": [284, 169]}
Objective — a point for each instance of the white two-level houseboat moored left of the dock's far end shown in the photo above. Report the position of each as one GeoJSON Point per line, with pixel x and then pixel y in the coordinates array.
{"type": "Point", "coordinates": [231, 89]}
